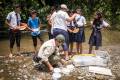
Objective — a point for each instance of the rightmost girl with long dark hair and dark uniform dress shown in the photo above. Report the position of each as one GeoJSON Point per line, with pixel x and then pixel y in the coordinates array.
{"type": "Point", "coordinates": [96, 36]}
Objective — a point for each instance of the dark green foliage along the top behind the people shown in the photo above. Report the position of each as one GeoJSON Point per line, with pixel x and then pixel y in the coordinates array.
{"type": "Point", "coordinates": [109, 8]}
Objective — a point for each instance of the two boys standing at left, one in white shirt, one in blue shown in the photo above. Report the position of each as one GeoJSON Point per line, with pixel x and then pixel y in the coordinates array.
{"type": "Point", "coordinates": [13, 20]}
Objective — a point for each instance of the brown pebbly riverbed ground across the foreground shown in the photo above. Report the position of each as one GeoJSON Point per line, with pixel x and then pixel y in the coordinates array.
{"type": "Point", "coordinates": [22, 68]}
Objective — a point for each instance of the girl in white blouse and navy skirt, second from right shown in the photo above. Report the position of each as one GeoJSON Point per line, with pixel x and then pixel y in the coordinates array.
{"type": "Point", "coordinates": [80, 22]}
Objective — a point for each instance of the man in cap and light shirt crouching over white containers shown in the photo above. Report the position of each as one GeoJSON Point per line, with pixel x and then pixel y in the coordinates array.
{"type": "Point", "coordinates": [49, 52]}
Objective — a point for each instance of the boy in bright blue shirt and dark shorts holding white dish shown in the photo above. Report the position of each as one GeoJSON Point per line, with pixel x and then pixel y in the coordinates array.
{"type": "Point", "coordinates": [34, 26]}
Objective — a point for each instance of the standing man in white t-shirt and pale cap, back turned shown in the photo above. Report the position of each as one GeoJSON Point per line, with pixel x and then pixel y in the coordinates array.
{"type": "Point", "coordinates": [60, 25]}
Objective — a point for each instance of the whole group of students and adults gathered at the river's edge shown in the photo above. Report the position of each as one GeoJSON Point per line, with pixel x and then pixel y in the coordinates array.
{"type": "Point", "coordinates": [64, 28]}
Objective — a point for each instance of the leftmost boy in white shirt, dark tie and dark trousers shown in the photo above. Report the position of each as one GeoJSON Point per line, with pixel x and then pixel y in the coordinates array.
{"type": "Point", "coordinates": [13, 21]}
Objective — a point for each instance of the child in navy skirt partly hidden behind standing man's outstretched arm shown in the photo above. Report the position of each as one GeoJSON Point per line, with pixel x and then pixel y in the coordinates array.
{"type": "Point", "coordinates": [71, 27]}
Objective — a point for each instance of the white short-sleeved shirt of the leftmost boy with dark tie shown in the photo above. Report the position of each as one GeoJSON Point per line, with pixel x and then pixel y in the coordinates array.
{"type": "Point", "coordinates": [13, 19]}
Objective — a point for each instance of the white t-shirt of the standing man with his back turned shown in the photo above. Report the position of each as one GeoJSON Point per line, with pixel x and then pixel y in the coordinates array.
{"type": "Point", "coordinates": [59, 20]}
